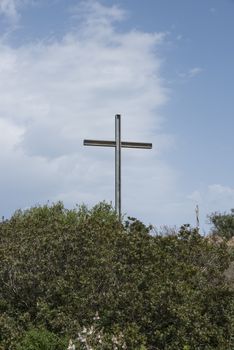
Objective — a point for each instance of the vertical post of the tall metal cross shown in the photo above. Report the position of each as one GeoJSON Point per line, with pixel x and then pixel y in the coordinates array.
{"type": "Point", "coordinates": [118, 164]}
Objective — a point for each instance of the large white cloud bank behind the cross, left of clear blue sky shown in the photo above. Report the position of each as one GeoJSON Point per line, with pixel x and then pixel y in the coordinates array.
{"type": "Point", "coordinates": [54, 94]}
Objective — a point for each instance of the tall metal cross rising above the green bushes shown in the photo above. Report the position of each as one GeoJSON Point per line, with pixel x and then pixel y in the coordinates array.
{"type": "Point", "coordinates": [118, 144]}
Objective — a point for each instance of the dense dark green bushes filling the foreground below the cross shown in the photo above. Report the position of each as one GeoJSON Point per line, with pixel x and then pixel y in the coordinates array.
{"type": "Point", "coordinates": [60, 267]}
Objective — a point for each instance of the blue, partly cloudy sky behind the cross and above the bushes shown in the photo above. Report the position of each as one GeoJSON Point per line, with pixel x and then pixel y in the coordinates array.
{"type": "Point", "coordinates": [67, 67]}
